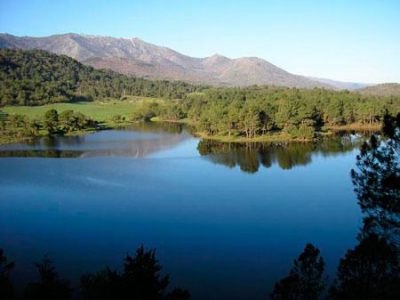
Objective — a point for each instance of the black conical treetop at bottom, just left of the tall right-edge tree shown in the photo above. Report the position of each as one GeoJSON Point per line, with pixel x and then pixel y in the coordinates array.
{"type": "Point", "coordinates": [305, 279]}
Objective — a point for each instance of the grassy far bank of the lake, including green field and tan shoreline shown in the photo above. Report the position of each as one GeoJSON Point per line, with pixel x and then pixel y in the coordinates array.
{"type": "Point", "coordinates": [115, 114]}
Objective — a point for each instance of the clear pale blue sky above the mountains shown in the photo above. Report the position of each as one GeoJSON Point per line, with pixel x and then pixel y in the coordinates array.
{"type": "Point", "coordinates": [343, 40]}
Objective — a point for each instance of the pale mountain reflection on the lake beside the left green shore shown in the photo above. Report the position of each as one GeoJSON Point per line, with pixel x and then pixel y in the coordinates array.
{"type": "Point", "coordinates": [139, 140]}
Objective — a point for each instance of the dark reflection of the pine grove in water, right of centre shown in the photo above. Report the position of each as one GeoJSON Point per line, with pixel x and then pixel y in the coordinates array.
{"type": "Point", "coordinates": [250, 156]}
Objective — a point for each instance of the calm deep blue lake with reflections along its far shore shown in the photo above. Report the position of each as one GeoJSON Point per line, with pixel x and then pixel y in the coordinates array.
{"type": "Point", "coordinates": [227, 220]}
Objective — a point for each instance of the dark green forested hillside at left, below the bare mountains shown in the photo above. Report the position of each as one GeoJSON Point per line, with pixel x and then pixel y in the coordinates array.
{"type": "Point", "coordinates": [36, 77]}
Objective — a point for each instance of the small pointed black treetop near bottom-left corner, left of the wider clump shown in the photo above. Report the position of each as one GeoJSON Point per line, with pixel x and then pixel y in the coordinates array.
{"type": "Point", "coordinates": [49, 286]}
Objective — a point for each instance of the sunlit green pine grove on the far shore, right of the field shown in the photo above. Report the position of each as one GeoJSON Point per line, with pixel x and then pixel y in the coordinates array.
{"type": "Point", "coordinates": [258, 110]}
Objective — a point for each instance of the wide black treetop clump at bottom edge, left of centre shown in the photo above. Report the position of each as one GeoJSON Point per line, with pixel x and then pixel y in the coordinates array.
{"type": "Point", "coordinates": [140, 279]}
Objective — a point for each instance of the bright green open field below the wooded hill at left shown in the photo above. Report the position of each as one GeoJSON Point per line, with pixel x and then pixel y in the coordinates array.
{"type": "Point", "coordinates": [100, 111]}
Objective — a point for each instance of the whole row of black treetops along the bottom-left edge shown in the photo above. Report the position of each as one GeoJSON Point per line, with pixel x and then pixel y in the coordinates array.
{"type": "Point", "coordinates": [141, 278]}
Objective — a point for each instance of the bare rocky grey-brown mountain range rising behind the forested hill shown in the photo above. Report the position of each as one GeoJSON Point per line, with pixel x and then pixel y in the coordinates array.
{"type": "Point", "coordinates": [136, 57]}
